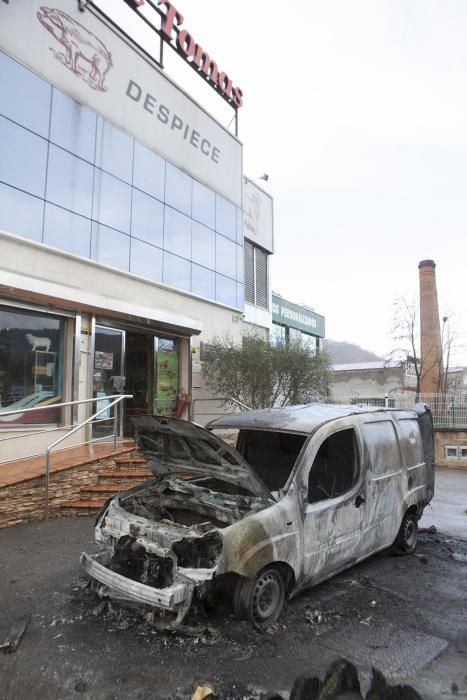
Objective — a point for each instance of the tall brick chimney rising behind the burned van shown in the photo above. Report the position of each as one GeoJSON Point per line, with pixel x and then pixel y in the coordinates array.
{"type": "Point", "coordinates": [430, 334]}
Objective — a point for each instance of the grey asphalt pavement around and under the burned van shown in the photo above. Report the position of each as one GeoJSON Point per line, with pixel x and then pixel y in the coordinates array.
{"type": "Point", "coordinates": [406, 615]}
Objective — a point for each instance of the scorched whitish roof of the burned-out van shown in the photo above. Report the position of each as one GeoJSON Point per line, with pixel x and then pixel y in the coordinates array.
{"type": "Point", "coordinates": [295, 419]}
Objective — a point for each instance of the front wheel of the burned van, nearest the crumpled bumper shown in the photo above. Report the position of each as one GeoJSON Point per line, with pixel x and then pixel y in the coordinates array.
{"type": "Point", "coordinates": [260, 599]}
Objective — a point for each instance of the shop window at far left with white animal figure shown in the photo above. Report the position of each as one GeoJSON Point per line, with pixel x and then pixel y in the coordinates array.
{"type": "Point", "coordinates": [31, 362]}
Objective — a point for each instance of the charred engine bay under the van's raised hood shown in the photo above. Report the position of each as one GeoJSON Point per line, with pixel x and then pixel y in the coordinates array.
{"type": "Point", "coordinates": [191, 504]}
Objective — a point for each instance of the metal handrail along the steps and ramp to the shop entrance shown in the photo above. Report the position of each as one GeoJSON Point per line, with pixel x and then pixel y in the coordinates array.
{"type": "Point", "coordinates": [107, 402]}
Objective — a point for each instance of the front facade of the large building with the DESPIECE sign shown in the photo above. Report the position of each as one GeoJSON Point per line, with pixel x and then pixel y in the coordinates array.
{"type": "Point", "coordinates": [121, 231]}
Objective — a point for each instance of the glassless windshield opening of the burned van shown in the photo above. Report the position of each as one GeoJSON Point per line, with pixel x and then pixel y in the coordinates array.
{"type": "Point", "coordinates": [272, 455]}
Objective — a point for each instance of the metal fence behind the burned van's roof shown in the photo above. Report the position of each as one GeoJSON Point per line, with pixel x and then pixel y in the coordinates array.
{"type": "Point", "coordinates": [449, 410]}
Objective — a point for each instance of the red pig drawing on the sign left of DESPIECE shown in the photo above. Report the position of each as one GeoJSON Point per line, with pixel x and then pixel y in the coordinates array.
{"type": "Point", "coordinates": [85, 54]}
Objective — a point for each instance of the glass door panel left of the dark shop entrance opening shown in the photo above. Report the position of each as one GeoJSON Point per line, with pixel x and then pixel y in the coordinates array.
{"type": "Point", "coordinates": [107, 375]}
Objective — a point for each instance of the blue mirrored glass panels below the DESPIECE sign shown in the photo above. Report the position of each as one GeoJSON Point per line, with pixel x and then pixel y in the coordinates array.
{"type": "Point", "coordinates": [70, 179]}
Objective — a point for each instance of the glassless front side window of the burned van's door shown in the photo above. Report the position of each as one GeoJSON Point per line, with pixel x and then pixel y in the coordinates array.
{"type": "Point", "coordinates": [335, 468]}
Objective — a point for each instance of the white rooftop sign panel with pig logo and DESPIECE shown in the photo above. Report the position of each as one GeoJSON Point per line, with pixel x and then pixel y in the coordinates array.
{"type": "Point", "coordinates": [84, 56]}
